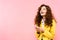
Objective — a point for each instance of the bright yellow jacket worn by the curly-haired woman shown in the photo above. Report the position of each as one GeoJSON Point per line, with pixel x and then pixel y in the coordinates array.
{"type": "Point", "coordinates": [49, 32]}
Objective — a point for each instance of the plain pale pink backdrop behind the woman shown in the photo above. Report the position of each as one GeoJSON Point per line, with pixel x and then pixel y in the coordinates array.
{"type": "Point", "coordinates": [17, 18]}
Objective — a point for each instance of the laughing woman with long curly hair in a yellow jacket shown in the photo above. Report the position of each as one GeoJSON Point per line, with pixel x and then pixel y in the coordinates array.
{"type": "Point", "coordinates": [45, 23]}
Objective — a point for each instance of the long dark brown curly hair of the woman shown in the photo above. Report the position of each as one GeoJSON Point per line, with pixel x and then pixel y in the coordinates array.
{"type": "Point", "coordinates": [48, 16]}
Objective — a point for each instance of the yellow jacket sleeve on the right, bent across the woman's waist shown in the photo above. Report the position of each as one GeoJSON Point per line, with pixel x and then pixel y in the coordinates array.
{"type": "Point", "coordinates": [52, 31]}
